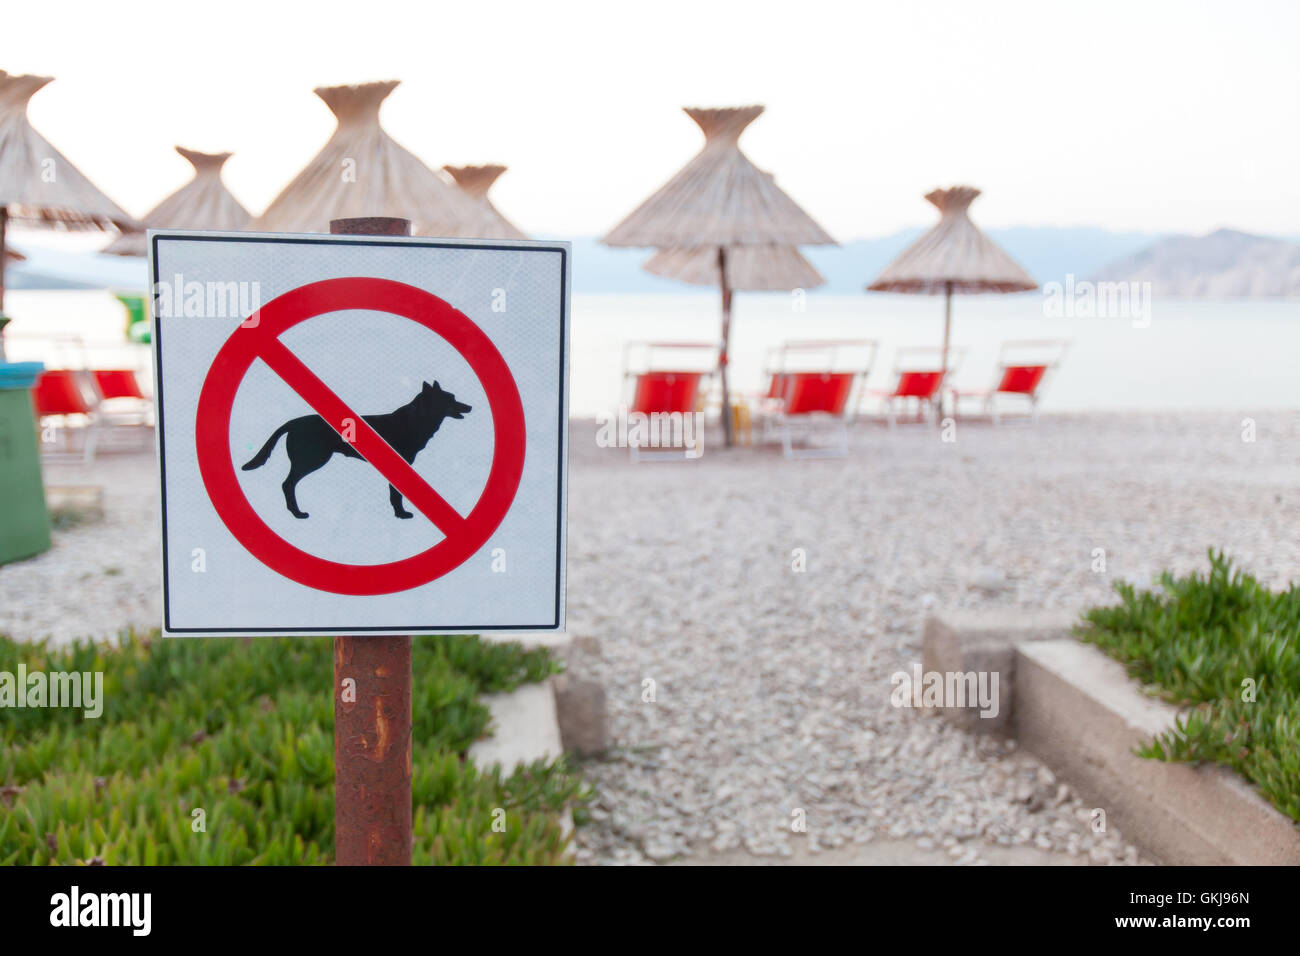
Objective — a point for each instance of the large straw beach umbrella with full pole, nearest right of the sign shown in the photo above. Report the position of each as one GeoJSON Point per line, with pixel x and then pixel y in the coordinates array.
{"type": "Point", "coordinates": [718, 205]}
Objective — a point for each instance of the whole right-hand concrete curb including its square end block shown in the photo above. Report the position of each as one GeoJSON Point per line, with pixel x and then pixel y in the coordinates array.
{"type": "Point", "coordinates": [1078, 712]}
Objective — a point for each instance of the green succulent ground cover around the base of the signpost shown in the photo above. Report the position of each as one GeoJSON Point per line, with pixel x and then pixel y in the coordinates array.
{"type": "Point", "coordinates": [242, 732]}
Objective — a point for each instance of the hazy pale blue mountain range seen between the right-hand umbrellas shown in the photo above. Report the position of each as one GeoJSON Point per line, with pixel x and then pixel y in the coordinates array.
{"type": "Point", "coordinates": [1048, 254]}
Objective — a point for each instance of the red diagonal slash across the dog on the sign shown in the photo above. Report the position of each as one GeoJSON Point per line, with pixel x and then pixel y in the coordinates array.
{"type": "Point", "coordinates": [366, 440]}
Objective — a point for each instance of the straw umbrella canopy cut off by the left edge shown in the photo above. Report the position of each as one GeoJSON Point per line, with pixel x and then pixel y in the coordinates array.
{"type": "Point", "coordinates": [37, 183]}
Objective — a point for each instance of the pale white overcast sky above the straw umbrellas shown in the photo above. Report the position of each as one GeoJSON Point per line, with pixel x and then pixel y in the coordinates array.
{"type": "Point", "coordinates": [1149, 116]}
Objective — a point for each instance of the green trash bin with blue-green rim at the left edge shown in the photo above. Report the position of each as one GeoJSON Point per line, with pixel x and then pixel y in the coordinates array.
{"type": "Point", "coordinates": [24, 520]}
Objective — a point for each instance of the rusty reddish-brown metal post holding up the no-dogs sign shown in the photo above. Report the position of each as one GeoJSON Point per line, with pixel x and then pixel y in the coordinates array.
{"type": "Point", "coordinates": [372, 713]}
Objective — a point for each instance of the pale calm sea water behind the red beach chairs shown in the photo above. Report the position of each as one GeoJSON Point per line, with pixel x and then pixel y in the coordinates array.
{"type": "Point", "coordinates": [1237, 356]}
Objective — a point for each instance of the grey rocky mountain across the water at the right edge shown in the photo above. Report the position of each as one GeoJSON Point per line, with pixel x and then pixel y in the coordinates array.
{"type": "Point", "coordinates": [1224, 265]}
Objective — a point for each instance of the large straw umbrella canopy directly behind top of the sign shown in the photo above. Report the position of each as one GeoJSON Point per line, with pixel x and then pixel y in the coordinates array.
{"type": "Point", "coordinates": [362, 171]}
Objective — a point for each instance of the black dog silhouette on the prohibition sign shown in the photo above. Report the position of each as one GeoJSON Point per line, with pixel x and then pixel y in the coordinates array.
{"type": "Point", "coordinates": [313, 443]}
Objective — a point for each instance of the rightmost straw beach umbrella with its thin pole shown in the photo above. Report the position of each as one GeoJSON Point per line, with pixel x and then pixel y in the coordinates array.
{"type": "Point", "coordinates": [955, 257]}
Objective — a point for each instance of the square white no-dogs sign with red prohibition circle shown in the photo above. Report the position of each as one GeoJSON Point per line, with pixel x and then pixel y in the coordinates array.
{"type": "Point", "coordinates": [361, 435]}
